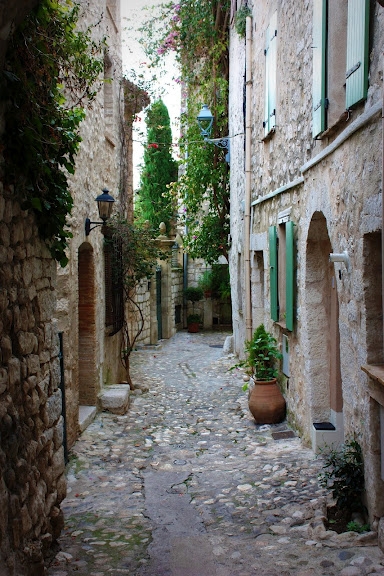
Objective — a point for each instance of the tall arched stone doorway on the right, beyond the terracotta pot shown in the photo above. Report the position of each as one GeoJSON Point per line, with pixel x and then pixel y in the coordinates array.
{"type": "Point", "coordinates": [323, 365]}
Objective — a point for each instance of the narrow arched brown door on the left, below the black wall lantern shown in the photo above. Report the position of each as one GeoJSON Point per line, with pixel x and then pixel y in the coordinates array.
{"type": "Point", "coordinates": [87, 327]}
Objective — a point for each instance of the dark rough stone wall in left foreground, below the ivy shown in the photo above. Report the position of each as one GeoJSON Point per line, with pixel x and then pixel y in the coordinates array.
{"type": "Point", "coordinates": [31, 426]}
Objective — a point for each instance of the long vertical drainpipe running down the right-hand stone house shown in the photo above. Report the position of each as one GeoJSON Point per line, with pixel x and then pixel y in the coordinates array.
{"type": "Point", "coordinates": [247, 207]}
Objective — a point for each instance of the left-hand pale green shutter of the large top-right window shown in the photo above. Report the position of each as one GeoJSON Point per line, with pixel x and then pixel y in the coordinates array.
{"type": "Point", "coordinates": [319, 40]}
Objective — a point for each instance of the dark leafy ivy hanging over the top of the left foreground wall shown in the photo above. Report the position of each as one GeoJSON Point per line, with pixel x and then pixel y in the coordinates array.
{"type": "Point", "coordinates": [50, 76]}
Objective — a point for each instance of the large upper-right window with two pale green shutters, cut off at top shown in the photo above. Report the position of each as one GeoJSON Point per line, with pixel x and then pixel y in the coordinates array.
{"type": "Point", "coordinates": [340, 44]}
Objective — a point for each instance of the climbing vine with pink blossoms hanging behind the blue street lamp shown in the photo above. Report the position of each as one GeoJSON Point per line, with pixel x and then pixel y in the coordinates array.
{"type": "Point", "coordinates": [197, 31]}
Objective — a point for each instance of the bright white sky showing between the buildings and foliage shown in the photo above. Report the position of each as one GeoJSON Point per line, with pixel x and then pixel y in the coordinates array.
{"type": "Point", "coordinates": [133, 14]}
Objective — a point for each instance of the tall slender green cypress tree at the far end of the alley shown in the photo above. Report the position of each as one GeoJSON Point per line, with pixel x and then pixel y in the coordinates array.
{"type": "Point", "coordinates": [156, 202]}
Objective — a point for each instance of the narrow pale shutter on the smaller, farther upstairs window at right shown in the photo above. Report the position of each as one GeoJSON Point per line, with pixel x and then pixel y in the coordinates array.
{"type": "Point", "coordinates": [270, 76]}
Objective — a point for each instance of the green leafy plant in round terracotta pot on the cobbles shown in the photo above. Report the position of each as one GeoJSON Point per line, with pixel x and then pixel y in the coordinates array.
{"type": "Point", "coordinates": [266, 402]}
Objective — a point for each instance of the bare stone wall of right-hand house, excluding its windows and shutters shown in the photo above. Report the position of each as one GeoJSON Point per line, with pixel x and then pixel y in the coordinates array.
{"type": "Point", "coordinates": [330, 188]}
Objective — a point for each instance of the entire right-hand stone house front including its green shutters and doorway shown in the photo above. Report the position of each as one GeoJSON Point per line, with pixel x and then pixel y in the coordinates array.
{"type": "Point", "coordinates": [305, 114]}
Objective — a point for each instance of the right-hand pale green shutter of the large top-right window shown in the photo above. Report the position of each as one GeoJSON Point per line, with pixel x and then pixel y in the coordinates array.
{"type": "Point", "coordinates": [357, 52]}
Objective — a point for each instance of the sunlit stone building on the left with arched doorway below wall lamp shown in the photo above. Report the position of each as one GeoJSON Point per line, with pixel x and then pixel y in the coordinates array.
{"type": "Point", "coordinates": [91, 335]}
